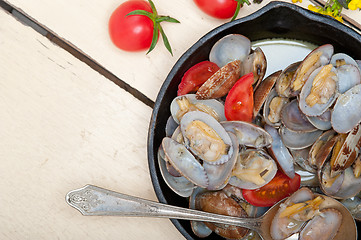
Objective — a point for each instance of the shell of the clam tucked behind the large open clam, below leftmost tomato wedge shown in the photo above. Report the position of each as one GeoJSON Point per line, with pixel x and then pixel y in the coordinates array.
{"type": "Point", "coordinates": [213, 106]}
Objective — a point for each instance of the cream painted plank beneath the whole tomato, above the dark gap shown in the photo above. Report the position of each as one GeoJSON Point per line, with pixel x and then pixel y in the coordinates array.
{"type": "Point", "coordinates": [84, 24]}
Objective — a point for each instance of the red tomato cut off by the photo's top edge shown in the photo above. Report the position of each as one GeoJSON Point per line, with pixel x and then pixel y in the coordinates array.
{"type": "Point", "coordinates": [218, 8]}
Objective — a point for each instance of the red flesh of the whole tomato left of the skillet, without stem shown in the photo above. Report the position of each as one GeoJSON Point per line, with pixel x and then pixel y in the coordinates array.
{"type": "Point", "coordinates": [131, 33]}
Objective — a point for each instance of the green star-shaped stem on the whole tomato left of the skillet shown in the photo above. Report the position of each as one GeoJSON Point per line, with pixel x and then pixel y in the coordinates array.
{"type": "Point", "coordinates": [156, 19]}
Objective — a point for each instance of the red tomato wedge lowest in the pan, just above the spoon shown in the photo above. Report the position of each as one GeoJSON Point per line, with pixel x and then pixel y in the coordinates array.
{"type": "Point", "coordinates": [280, 187]}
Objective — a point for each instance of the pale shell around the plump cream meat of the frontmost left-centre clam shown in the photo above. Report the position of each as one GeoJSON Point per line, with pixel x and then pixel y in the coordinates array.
{"type": "Point", "coordinates": [189, 117]}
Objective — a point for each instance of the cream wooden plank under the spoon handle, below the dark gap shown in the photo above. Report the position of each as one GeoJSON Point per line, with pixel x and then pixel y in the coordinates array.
{"type": "Point", "coordinates": [63, 125]}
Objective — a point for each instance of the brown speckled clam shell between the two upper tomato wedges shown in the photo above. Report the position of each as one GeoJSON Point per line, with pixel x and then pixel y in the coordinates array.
{"type": "Point", "coordinates": [219, 84]}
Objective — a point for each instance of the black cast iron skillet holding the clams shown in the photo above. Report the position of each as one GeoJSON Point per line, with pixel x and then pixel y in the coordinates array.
{"type": "Point", "coordinates": [275, 20]}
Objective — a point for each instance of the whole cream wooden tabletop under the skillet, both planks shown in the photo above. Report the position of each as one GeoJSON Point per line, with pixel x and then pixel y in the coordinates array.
{"type": "Point", "coordinates": [64, 125]}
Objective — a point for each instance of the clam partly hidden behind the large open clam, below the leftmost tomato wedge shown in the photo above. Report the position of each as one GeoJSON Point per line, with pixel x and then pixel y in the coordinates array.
{"type": "Point", "coordinates": [186, 103]}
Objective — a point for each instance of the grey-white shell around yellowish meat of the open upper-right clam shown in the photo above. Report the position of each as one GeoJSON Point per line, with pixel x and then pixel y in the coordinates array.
{"type": "Point", "coordinates": [317, 109]}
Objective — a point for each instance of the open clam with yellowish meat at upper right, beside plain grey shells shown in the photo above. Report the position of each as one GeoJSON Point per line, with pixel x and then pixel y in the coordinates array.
{"type": "Point", "coordinates": [319, 92]}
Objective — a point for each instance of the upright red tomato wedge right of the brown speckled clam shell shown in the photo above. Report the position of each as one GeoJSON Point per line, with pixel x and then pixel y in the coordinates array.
{"type": "Point", "coordinates": [239, 101]}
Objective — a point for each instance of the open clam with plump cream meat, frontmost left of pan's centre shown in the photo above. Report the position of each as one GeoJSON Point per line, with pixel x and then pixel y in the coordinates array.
{"type": "Point", "coordinates": [206, 137]}
